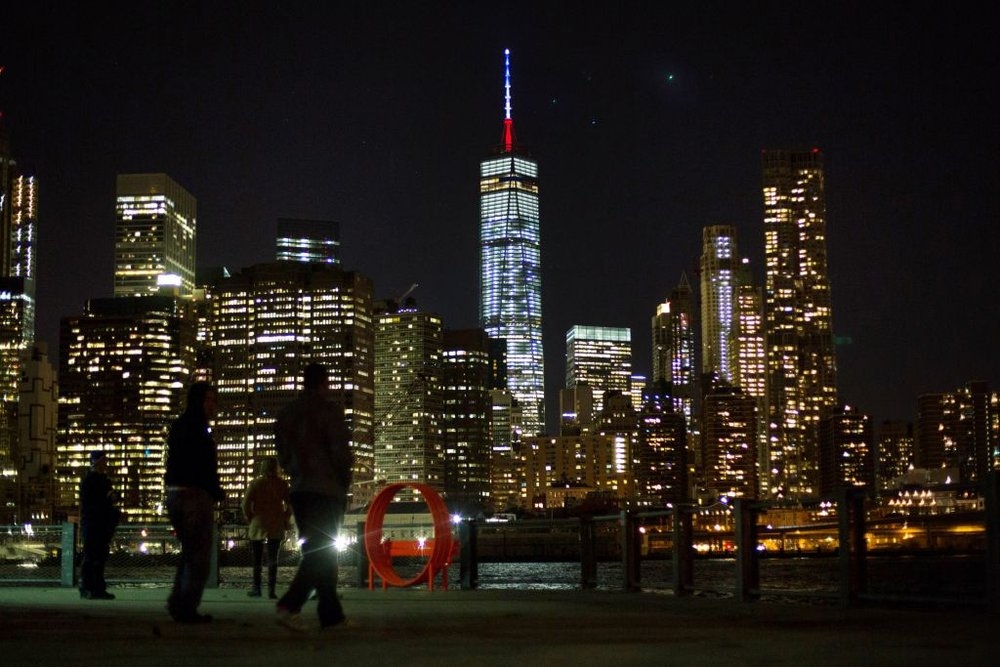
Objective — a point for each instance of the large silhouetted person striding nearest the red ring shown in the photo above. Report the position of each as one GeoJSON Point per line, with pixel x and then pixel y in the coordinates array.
{"type": "Point", "coordinates": [313, 445]}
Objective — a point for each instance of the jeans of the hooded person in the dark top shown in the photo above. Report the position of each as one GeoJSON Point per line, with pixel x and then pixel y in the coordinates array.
{"type": "Point", "coordinates": [192, 513]}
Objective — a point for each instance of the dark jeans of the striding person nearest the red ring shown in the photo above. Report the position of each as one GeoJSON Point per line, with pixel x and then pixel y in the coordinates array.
{"type": "Point", "coordinates": [318, 518]}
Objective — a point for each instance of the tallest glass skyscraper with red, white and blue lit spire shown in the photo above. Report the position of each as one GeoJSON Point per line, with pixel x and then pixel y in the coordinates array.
{"type": "Point", "coordinates": [510, 280]}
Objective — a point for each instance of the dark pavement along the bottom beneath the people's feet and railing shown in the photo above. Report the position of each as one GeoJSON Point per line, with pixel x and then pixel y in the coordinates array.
{"type": "Point", "coordinates": [414, 627]}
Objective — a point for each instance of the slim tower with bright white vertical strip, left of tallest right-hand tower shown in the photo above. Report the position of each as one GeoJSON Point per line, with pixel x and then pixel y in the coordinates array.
{"type": "Point", "coordinates": [718, 269]}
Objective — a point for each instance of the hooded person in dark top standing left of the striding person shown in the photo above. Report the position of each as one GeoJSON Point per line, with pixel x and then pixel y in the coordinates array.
{"type": "Point", "coordinates": [193, 488]}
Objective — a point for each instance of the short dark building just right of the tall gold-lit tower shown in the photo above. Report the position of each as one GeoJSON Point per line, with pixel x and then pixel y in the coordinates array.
{"type": "Point", "coordinates": [846, 449]}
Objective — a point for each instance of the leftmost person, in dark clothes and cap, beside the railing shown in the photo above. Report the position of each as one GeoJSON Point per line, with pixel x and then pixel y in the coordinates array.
{"type": "Point", "coordinates": [98, 519]}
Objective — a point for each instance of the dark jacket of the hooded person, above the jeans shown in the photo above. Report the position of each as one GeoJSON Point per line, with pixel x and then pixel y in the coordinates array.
{"type": "Point", "coordinates": [191, 455]}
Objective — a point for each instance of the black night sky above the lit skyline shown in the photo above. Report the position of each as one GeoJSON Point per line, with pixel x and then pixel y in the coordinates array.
{"type": "Point", "coordinates": [647, 120]}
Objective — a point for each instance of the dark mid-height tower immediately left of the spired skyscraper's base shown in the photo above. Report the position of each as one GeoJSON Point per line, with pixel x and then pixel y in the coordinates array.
{"type": "Point", "coordinates": [467, 405]}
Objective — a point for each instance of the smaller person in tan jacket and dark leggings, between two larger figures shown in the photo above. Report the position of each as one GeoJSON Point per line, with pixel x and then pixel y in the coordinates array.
{"type": "Point", "coordinates": [267, 509]}
